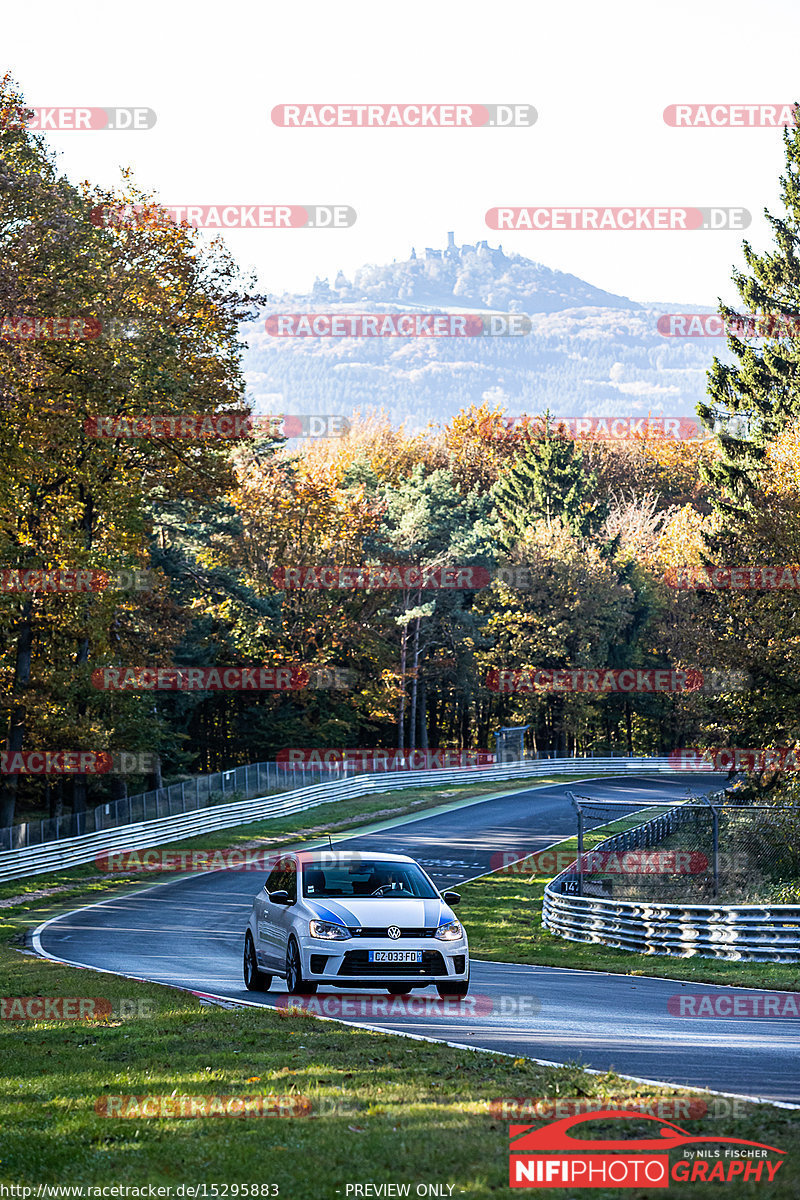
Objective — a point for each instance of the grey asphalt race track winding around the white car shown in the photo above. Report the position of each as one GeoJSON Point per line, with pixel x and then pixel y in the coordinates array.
{"type": "Point", "coordinates": [189, 933]}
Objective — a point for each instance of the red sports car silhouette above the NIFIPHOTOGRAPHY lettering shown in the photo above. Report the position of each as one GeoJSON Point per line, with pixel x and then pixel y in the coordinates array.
{"type": "Point", "coordinates": [556, 1136]}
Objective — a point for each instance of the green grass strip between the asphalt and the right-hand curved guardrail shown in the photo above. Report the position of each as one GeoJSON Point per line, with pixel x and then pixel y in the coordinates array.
{"type": "Point", "coordinates": [503, 915]}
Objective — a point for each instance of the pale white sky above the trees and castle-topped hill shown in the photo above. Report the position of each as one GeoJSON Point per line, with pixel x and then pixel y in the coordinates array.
{"type": "Point", "coordinates": [600, 77]}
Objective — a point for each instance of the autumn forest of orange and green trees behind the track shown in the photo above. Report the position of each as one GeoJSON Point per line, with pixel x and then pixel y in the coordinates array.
{"type": "Point", "coordinates": [597, 530]}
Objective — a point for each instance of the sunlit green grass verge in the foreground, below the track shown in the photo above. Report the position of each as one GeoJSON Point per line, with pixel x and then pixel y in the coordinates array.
{"type": "Point", "coordinates": [383, 1109]}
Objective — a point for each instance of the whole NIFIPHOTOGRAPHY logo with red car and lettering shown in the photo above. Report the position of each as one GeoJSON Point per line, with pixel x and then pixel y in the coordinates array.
{"type": "Point", "coordinates": [551, 1157]}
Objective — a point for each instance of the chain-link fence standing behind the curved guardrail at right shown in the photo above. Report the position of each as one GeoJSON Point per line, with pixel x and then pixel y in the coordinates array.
{"type": "Point", "coordinates": [702, 851]}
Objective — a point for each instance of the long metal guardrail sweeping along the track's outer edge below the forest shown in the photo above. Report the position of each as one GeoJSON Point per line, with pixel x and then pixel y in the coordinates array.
{"type": "Point", "coordinates": [17, 865]}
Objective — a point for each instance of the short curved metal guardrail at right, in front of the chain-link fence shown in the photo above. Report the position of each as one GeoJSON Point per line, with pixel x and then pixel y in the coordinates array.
{"type": "Point", "coordinates": [737, 933]}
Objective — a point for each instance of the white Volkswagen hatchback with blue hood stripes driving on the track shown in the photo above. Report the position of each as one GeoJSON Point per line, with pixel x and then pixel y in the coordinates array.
{"type": "Point", "coordinates": [352, 921]}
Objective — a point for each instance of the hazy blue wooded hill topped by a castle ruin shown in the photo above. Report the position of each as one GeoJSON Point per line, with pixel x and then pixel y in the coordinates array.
{"type": "Point", "coordinates": [588, 353]}
